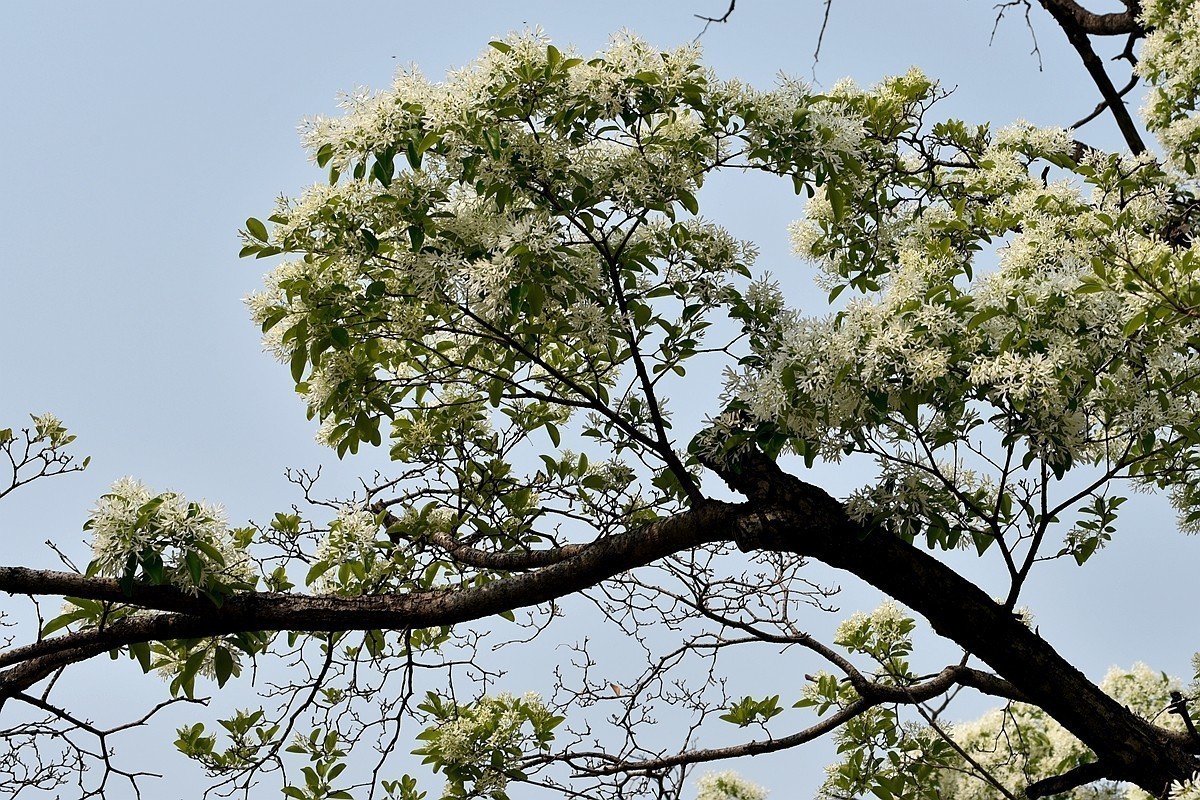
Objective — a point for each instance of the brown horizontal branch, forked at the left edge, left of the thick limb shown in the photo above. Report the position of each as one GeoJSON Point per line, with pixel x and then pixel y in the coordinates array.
{"type": "Point", "coordinates": [183, 617]}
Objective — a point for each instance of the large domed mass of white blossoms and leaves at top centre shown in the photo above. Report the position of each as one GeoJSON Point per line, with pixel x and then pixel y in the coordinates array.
{"type": "Point", "coordinates": [423, 262]}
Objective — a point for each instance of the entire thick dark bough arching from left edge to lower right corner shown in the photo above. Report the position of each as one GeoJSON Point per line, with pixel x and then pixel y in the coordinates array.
{"type": "Point", "coordinates": [783, 514]}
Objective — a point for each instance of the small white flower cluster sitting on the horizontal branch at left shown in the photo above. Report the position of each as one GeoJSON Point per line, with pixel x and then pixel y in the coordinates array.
{"type": "Point", "coordinates": [134, 522]}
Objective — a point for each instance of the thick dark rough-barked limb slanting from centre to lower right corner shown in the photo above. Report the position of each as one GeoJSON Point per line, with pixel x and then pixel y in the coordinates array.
{"type": "Point", "coordinates": [802, 519]}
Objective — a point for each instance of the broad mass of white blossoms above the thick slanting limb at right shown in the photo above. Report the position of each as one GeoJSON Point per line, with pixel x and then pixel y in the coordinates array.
{"type": "Point", "coordinates": [1025, 339]}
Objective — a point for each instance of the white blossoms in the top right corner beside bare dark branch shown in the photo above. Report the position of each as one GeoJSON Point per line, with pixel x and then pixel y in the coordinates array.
{"type": "Point", "coordinates": [1171, 62]}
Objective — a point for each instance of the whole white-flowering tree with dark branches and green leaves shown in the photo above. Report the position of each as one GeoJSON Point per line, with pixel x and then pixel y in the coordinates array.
{"type": "Point", "coordinates": [507, 276]}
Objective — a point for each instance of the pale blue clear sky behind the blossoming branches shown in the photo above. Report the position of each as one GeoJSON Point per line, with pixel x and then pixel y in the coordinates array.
{"type": "Point", "coordinates": [140, 136]}
